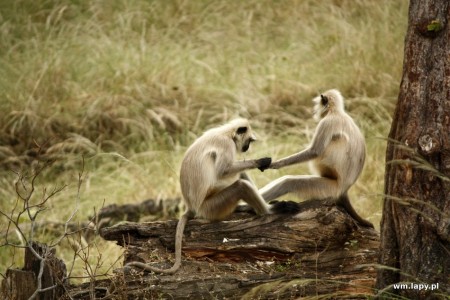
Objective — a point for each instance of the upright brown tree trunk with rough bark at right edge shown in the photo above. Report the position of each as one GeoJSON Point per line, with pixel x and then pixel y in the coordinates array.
{"type": "Point", "coordinates": [415, 229]}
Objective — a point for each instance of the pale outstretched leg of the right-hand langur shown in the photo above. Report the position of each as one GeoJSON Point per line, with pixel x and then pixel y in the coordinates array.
{"type": "Point", "coordinates": [306, 186]}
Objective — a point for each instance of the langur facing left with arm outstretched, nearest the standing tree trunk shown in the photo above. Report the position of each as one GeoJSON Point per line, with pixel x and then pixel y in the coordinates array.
{"type": "Point", "coordinates": [337, 154]}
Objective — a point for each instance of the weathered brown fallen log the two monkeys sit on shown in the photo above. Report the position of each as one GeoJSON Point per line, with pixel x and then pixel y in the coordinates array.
{"type": "Point", "coordinates": [320, 251]}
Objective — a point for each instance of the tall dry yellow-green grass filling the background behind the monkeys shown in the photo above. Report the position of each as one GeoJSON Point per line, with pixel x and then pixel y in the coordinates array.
{"type": "Point", "coordinates": [128, 85]}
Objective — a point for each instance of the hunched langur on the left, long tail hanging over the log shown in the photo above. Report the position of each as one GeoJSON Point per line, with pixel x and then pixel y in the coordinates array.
{"type": "Point", "coordinates": [212, 182]}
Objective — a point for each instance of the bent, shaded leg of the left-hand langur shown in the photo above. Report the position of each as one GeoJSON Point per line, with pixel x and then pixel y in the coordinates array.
{"type": "Point", "coordinates": [222, 204]}
